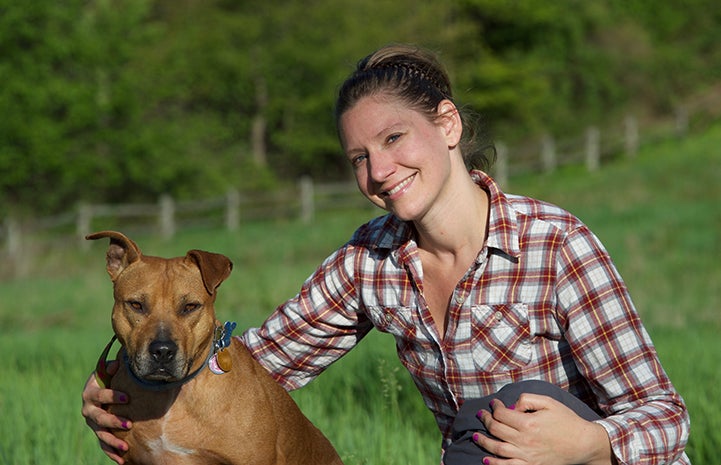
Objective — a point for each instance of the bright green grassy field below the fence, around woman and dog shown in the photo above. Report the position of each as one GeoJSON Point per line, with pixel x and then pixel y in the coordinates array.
{"type": "Point", "coordinates": [659, 215]}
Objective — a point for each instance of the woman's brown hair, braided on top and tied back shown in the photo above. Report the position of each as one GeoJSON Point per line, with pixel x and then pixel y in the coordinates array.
{"type": "Point", "coordinates": [415, 77]}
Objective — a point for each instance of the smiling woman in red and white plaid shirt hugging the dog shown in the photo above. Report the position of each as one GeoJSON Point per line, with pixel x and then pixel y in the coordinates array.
{"type": "Point", "coordinates": [480, 289]}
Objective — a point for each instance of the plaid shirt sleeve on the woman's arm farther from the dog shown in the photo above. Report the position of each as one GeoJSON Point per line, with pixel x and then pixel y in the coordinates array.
{"type": "Point", "coordinates": [647, 421]}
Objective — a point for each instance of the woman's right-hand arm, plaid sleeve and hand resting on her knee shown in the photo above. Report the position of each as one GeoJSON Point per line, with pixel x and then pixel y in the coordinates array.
{"type": "Point", "coordinates": [646, 420]}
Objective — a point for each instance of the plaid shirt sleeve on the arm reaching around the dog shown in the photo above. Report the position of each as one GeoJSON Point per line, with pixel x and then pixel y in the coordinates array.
{"type": "Point", "coordinates": [319, 325]}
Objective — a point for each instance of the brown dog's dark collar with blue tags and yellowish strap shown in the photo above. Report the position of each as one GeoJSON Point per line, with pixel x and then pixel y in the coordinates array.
{"type": "Point", "coordinates": [217, 360]}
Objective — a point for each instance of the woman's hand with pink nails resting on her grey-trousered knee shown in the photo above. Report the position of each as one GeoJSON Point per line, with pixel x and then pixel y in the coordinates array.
{"type": "Point", "coordinates": [540, 430]}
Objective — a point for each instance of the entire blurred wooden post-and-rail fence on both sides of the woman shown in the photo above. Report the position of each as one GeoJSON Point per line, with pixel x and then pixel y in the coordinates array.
{"type": "Point", "coordinates": [166, 216]}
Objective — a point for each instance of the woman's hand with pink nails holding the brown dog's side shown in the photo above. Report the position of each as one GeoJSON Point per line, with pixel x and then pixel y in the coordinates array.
{"type": "Point", "coordinates": [95, 398]}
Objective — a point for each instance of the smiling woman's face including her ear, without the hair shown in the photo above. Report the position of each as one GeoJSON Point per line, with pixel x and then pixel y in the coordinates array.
{"type": "Point", "coordinates": [401, 159]}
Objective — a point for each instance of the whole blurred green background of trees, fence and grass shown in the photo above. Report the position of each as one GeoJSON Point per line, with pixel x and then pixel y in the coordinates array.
{"type": "Point", "coordinates": [209, 124]}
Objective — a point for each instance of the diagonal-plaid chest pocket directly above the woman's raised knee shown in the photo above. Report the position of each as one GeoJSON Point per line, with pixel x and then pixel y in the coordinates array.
{"type": "Point", "coordinates": [501, 337]}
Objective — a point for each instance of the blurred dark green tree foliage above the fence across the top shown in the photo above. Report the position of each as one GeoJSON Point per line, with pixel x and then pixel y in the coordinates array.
{"type": "Point", "coordinates": [114, 100]}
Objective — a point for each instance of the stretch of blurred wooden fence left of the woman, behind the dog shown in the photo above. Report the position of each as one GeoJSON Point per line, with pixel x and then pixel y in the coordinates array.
{"type": "Point", "coordinates": [24, 241]}
